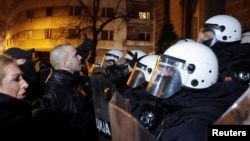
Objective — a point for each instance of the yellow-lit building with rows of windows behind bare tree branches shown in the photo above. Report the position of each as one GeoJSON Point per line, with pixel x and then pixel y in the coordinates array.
{"type": "Point", "coordinates": [42, 24]}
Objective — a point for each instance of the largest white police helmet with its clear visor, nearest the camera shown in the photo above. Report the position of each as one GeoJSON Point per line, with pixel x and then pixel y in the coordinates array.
{"type": "Point", "coordinates": [190, 64]}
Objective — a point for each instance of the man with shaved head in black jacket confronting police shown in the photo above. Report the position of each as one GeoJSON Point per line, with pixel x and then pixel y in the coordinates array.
{"type": "Point", "coordinates": [67, 111]}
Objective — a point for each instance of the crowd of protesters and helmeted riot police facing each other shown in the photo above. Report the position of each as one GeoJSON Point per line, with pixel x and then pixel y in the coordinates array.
{"type": "Point", "coordinates": [175, 95]}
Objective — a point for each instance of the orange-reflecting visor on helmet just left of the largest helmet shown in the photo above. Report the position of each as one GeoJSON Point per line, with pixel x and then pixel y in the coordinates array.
{"type": "Point", "coordinates": [137, 77]}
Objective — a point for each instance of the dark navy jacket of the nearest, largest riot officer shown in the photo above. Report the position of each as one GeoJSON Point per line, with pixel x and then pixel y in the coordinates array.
{"type": "Point", "coordinates": [186, 115]}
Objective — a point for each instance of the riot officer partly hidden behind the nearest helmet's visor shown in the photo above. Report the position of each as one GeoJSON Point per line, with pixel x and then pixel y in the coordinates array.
{"type": "Point", "coordinates": [144, 106]}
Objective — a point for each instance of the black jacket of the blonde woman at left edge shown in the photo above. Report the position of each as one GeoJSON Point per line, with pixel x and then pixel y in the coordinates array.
{"type": "Point", "coordinates": [16, 121]}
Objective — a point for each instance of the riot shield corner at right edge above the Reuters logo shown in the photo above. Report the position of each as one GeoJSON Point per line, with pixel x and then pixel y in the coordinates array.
{"type": "Point", "coordinates": [238, 113]}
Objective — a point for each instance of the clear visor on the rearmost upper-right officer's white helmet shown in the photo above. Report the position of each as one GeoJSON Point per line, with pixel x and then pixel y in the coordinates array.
{"type": "Point", "coordinates": [207, 35]}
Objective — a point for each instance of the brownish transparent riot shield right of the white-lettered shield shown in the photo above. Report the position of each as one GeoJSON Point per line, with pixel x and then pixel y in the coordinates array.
{"type": "Point", "coordinates": [124, 126]}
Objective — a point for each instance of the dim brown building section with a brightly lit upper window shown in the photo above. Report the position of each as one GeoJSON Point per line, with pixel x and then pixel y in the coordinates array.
{"type": "Point", "coordinates": [140, 26]}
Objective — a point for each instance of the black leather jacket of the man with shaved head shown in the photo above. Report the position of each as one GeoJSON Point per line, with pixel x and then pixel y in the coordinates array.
{"type": "Point", "coordinates": [68, 113]}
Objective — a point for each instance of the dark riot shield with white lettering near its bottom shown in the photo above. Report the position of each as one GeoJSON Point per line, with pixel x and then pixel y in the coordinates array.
{"type": "Point", "coordinates": [102, 91]}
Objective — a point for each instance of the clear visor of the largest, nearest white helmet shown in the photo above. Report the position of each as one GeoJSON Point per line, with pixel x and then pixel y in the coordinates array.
{"type": "Point", "coordinates": [166, 78]}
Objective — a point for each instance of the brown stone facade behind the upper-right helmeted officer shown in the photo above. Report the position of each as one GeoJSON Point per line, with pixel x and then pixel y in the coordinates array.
{"type": "Point", "coordinates": [188, 16]}
